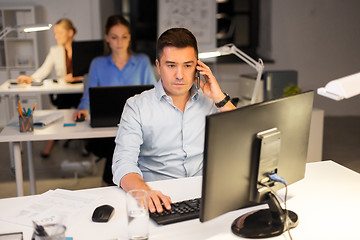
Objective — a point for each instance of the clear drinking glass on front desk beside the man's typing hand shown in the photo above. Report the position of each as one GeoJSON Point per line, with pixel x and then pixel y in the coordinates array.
{"type": "Point", "coordinates": [138, 214]}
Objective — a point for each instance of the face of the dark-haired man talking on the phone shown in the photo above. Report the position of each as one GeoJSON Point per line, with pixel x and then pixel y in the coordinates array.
{"type": "Point", "coordinates": [177, 70]}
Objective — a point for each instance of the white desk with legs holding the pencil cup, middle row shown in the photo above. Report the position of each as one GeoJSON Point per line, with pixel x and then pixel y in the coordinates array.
{"type": "Point", "coordinates": [55, 131]}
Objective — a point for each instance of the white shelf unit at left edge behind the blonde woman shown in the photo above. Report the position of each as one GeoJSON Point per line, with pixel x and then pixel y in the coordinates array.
{"type": "Point", "coordinates": [18, 51]}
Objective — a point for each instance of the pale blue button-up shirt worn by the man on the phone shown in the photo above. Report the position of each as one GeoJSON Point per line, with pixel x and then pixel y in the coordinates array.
{"type": "Point", "coordinates": [157, 140]}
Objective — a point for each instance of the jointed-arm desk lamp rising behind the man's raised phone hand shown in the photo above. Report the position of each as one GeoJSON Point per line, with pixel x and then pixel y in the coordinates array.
{"type": "Point", "coordinates": [232, 49]}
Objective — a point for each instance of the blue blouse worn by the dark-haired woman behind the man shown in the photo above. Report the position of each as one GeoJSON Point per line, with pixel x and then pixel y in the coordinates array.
{"type": "Point", "coordinates": [103, 72]}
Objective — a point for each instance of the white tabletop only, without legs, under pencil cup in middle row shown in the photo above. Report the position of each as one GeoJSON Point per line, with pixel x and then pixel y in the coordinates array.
{"type": "Point", "coordinates": [55, 130]}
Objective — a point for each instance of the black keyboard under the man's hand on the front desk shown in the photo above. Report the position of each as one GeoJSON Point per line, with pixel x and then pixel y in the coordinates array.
{"type": "Point", "coordinates": [180, 211]}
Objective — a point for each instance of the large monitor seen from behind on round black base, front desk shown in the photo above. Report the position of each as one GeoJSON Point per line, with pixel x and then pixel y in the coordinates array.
{"type": "Point", "coordinates": [242, 149]}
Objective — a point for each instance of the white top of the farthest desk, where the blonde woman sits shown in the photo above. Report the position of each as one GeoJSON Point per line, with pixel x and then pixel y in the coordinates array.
{"type": "Point", "coordinates": [48, 87]}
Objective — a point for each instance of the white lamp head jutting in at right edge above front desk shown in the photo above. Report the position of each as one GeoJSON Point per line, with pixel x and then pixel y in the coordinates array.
{"type": "Point", "coordinates": [341, 88]}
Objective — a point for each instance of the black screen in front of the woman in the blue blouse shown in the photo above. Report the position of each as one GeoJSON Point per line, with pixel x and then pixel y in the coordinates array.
{"type": "Point", "coordinates": [107, 103]}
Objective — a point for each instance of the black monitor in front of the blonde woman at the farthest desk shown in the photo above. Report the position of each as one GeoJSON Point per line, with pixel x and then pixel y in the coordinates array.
{"type": "Point", "coordinates": [83, 53]}
